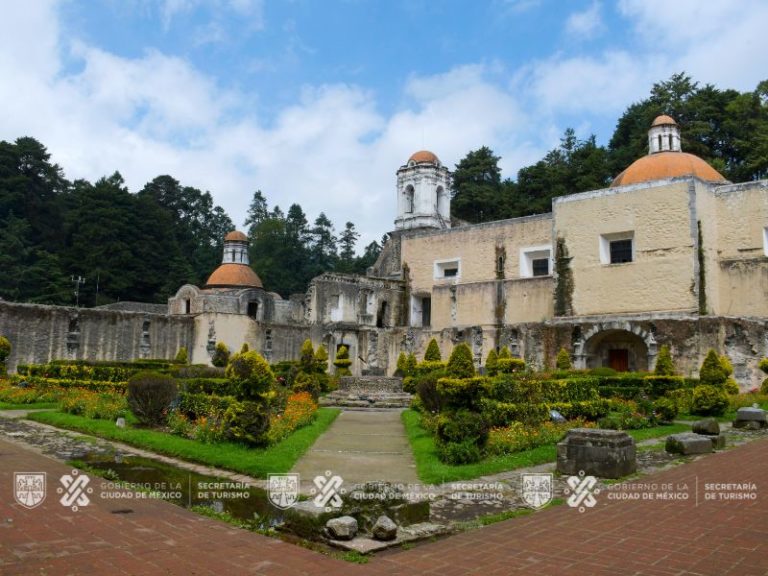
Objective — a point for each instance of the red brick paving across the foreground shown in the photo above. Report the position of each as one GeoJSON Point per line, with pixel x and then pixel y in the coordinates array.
{"type": "Point", "coordinates": [614, 538]}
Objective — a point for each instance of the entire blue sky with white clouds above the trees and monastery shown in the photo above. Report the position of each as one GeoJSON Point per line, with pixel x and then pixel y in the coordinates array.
{"type": "Point", "coordinates": [318, 102]}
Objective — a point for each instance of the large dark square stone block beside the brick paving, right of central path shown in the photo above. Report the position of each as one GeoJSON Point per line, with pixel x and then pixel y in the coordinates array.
{"type": "Point", "coordinates": [602, 453]}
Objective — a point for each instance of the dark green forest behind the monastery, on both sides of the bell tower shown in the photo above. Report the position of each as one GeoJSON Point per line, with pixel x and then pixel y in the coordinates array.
{"type": "Point", "coordinates": [142, 246]}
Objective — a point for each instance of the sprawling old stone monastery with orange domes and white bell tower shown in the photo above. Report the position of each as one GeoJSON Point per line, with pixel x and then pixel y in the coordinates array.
{"type": "Point", "coordinates": [671, 253]}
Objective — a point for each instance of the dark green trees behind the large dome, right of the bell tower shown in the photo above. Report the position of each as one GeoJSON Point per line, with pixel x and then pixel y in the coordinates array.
{"type": "Point", "coordinates": [727, 128]}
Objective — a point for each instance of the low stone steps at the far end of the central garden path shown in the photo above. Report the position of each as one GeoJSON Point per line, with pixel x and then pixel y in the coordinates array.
{"type": "Point", "coordinates": [368, 392]}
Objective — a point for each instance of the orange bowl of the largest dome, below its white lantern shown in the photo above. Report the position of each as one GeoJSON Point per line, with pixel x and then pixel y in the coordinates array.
{"type": "Point", "coordinates": [667, 165]}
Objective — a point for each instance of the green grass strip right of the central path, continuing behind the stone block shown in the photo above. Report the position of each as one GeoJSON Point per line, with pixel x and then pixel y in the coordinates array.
{"type": "Point", "coordinates": [432, 471]}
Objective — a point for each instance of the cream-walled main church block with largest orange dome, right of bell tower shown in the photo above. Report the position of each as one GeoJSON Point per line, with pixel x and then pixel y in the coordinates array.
{"type": "Point", "coordinates": [671, 241]}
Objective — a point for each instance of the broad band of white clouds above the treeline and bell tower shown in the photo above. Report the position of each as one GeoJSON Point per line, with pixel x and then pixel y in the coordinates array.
{"type": "Point", "coordinates": [333, 149]}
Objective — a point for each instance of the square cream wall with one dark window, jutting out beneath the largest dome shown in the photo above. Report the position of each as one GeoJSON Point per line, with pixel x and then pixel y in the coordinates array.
{"type": "Point", "coordinates": [658, 219]}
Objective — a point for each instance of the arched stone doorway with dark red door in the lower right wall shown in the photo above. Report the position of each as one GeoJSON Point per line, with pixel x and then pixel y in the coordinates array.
{"type": "Point", "coordinates": [622, 350]}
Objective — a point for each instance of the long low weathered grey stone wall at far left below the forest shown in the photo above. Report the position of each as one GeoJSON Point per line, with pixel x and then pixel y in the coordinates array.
{"type": "Point", "coordinates": [40, 334]}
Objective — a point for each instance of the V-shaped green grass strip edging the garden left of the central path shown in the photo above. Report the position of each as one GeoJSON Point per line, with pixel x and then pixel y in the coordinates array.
{"type": "Point", "coordinates": [256, 462]}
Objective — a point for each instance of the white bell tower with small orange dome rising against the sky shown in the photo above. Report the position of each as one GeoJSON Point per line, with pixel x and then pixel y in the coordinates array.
{"type": "Point", "coordinates": [423, 193]}
